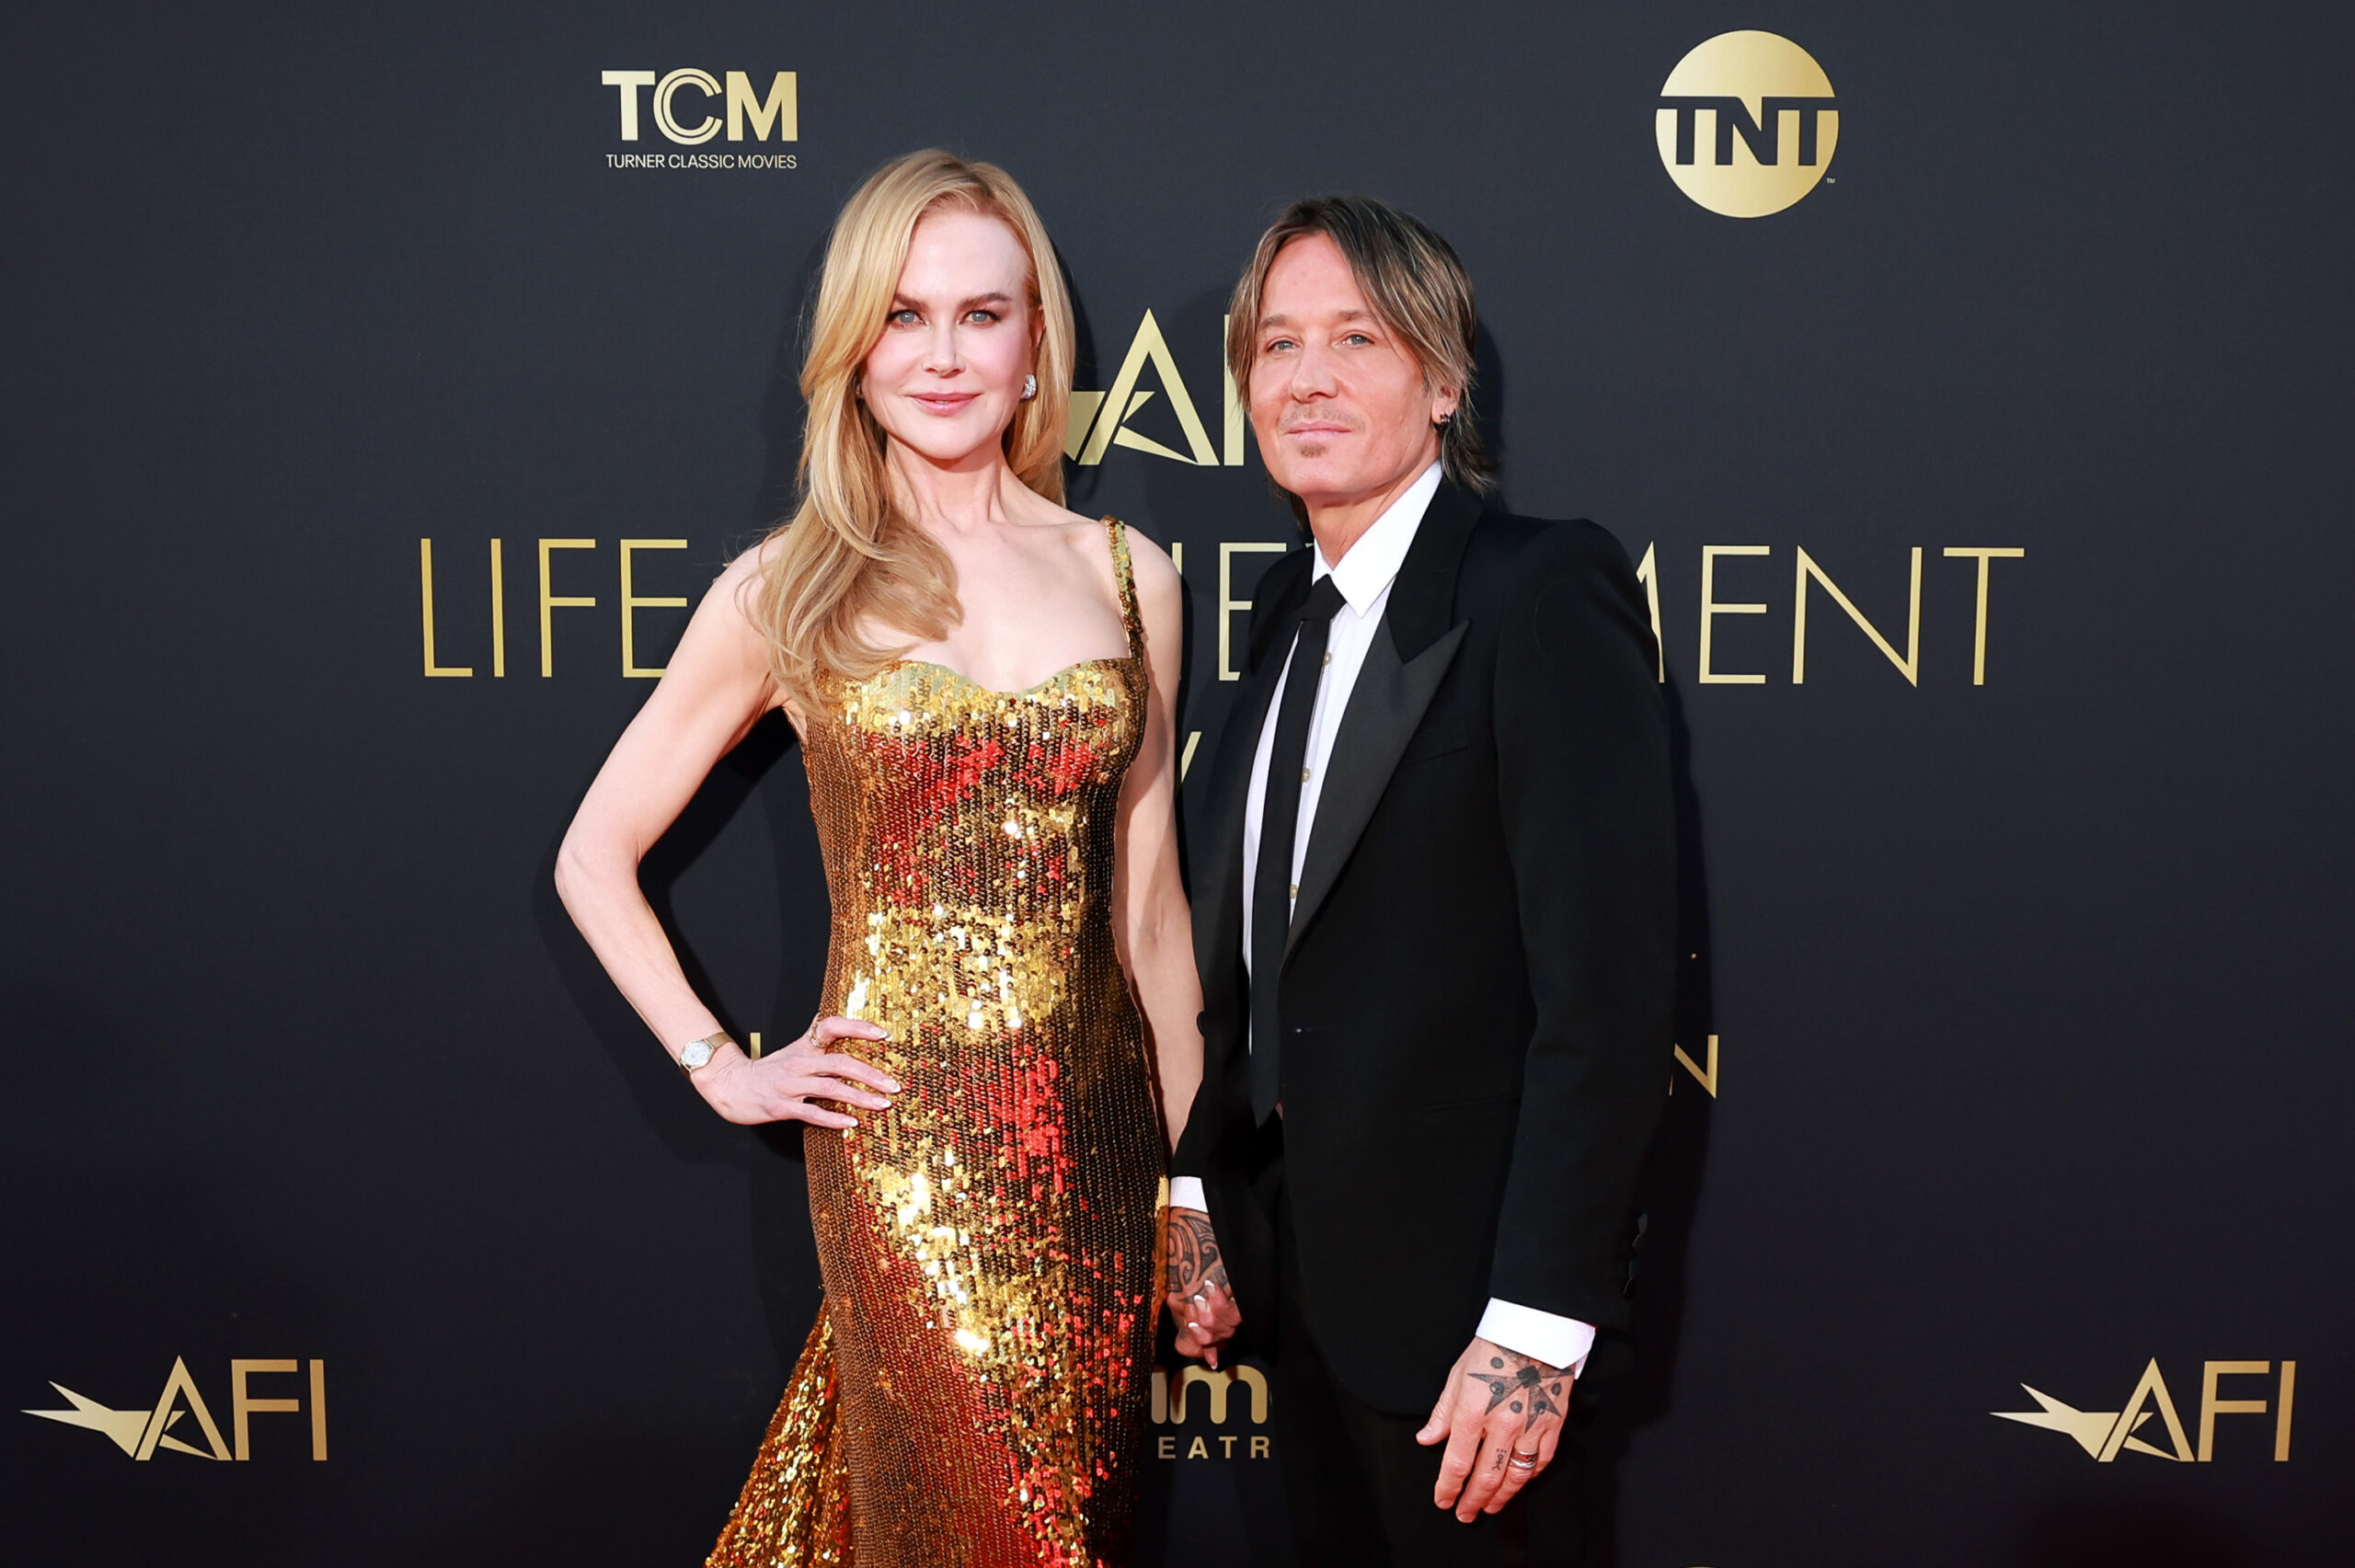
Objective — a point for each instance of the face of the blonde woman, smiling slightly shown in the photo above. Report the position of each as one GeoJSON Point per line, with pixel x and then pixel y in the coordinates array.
{"type": "Point", "coordinates": [946, 378]}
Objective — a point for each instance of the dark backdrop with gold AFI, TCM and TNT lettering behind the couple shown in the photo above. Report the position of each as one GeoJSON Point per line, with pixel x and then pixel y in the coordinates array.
{"type": "Point", "coordinates": [1968, 380]}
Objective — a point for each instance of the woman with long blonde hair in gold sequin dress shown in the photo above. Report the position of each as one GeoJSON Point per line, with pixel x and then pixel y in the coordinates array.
{"type": "Point", "coordinates": [986, 693]}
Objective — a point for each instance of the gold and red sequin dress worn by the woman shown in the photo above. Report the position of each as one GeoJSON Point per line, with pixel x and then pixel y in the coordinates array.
{"type": "Point", "coordinates": [974, 1388]}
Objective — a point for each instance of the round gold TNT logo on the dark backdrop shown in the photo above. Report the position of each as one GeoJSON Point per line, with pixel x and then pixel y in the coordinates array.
{"type": "Point", "coordinates": [1723, 117]}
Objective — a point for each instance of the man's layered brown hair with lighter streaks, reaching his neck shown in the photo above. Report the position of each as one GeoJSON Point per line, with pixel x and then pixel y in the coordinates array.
{"type": "Point", "coordinates": [1419, 291]}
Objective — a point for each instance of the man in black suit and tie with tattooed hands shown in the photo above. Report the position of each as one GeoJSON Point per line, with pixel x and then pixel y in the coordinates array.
{"type": "Point", "coordinates": [1435, 924]}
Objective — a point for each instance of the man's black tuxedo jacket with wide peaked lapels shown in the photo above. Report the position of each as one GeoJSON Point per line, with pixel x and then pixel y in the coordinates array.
{"type": "Point", "coordinates": [1478, 983]}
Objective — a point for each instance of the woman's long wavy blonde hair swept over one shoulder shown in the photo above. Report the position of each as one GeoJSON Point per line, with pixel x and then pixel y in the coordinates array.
{"type": "Point", "coordinates": [849, 554]}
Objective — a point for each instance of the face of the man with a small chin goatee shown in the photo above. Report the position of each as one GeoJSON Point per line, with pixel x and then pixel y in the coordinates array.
{"type": "Point", "coordinates": [1341, 408]}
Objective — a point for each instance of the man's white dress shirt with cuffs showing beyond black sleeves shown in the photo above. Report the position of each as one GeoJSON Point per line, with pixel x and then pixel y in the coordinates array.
{"type": "Point", "coordinates": [1365, 578]}
